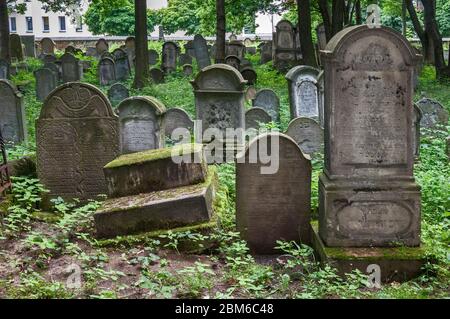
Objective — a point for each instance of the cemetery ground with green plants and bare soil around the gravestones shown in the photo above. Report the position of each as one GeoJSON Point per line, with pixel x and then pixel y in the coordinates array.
{"type": "Point", "coordinates": [41, 249]}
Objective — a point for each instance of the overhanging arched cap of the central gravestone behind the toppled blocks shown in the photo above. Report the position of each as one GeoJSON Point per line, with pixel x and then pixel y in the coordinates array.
{"type": "Point", "coordinates": [219, 77]}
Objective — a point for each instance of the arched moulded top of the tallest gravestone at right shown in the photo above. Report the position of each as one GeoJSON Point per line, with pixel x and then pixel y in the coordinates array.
{"type": "Point", "coordinates": [384, 47]}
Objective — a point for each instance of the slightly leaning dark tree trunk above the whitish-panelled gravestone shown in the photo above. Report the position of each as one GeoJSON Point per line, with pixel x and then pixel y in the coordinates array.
{"type": "Point", "coordinates": [304, 29]}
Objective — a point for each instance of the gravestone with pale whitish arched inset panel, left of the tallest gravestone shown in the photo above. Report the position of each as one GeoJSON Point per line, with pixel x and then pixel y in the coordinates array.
{"type": "Point", "coordinates": [303, 92]}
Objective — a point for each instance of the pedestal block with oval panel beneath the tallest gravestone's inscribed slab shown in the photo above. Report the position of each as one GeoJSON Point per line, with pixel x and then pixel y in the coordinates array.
{"type": "Point", "coordinates": [369, 212]}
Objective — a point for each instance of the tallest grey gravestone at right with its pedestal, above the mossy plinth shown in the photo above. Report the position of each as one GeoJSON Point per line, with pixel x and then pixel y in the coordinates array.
{"type": "Point", "coordinates": [368, 196]}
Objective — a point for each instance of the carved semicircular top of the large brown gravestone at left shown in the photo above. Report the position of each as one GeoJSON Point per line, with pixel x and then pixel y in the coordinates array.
{"type": "Point", "coordinates": [75, 100]}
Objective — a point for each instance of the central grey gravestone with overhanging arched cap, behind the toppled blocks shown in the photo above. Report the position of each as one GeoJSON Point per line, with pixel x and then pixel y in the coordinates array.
{"type": "Point", "coordinates": [219, 92]}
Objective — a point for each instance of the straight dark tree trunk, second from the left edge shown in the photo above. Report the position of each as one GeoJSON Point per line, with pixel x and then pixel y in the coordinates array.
{"type": "Point", "coordinates": [141, 47]}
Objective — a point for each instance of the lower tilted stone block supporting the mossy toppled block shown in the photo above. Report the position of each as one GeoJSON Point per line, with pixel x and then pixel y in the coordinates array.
{"type": "Point", "coordinates": [178, 207]}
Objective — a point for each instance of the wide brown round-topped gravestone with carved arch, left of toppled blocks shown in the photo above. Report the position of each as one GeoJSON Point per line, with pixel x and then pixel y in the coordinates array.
{"type": "Point", "coordinates": [77, 134]}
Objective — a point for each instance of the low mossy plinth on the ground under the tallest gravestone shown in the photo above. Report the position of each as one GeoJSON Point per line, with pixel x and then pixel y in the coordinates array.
{"type": "Point", "coordinates": [396, 264]}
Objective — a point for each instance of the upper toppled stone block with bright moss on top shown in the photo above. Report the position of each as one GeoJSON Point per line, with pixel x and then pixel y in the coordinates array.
{"type": "Point", "coordinates": [156, 170]}
